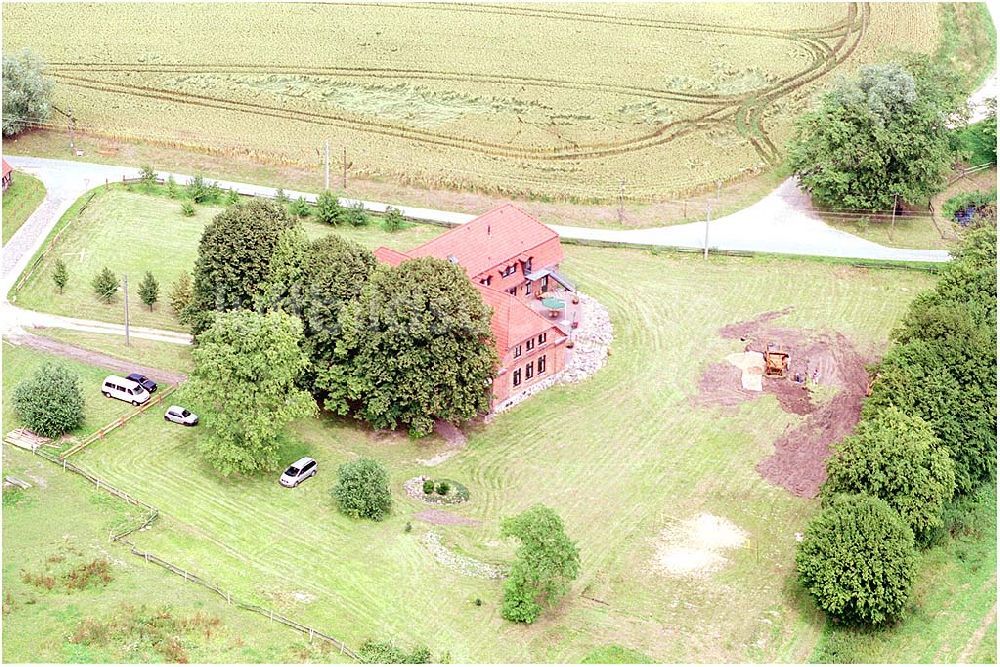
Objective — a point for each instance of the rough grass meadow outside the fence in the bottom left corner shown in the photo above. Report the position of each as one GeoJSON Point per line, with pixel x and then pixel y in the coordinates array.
{"type": "Point", "coordinates": [62, 522]}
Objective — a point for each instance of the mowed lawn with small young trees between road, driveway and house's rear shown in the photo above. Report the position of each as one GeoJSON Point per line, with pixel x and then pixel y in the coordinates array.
{"type": "Point", "coordinates": [133, 232]}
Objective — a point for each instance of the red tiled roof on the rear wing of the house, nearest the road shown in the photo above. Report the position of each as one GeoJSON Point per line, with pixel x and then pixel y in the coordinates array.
{"type": "Point", "coordinates": [495, 238]}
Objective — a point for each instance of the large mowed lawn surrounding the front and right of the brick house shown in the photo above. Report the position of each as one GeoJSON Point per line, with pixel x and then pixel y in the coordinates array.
{"type": "Point", "coordinates": [620, 457]}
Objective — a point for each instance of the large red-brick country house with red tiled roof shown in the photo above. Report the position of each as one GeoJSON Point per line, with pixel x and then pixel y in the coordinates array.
{"type": "Point", "coordinates": [513, 259]}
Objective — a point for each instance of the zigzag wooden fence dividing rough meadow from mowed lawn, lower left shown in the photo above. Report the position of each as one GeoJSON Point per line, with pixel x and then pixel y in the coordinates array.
{"type": "Point", "coordinates": [151, 515]}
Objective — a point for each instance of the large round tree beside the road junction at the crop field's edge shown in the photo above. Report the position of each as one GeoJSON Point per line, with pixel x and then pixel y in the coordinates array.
{"type": "Point", "coordinates": [879, 135]}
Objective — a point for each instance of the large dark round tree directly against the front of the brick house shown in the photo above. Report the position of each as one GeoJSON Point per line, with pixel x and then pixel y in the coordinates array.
{"type": "Point", "coordinates": [414, 347]}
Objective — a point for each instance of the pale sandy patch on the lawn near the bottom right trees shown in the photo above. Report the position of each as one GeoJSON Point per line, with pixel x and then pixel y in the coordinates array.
{"type": "Point", "coordinates": [696, 547]}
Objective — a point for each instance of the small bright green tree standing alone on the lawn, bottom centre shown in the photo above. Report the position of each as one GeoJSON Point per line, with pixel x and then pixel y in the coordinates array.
{"type": "Point", "coordinates": [547, 562]}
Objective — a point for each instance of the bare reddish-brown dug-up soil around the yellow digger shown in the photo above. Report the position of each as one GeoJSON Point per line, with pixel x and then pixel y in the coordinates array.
{"type": "Point", "coordinates": [827, 359]}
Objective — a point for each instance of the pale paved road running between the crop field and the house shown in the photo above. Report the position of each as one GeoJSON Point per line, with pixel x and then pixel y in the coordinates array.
{"type": "Point", "coordinates": [782, 222]}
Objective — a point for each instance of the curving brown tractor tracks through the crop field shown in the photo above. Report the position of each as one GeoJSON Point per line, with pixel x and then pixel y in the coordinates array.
{"type": "Point", "coordinates": [744, 111]}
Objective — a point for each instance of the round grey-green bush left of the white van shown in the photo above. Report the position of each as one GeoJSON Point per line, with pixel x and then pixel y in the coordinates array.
{"type": "Point", "coordinates": [50, 402]}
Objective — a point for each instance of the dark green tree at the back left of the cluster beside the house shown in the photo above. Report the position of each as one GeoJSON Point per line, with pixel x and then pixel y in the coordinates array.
{"type": "Point", "coordinates": [234, 259]}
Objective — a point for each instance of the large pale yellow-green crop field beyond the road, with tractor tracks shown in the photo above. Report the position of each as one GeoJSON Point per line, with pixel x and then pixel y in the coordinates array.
{"type": "Point", "coordinates": [516, 103]}
